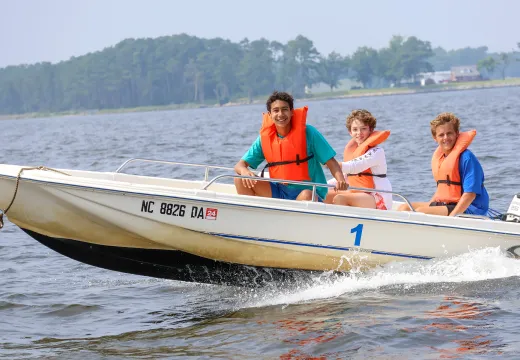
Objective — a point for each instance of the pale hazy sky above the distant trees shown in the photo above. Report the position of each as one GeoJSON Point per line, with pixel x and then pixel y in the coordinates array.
{"type": "Point", "coordinates": [54, 30]}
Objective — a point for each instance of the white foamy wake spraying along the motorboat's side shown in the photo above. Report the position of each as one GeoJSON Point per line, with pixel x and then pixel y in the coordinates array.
{"type": "Point", "coordinates": [477, 265]}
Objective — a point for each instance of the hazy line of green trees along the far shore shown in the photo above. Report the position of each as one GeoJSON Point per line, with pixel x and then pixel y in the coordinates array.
{"type": "Point", "coordinates": [186, 69]}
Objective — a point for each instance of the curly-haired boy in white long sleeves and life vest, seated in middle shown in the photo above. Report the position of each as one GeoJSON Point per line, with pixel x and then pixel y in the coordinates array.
{"type": "Point", "coordinates": [364, 165]}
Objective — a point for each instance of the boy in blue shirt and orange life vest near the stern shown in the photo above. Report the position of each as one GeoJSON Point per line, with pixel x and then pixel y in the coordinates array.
{"type": "Point", "coordinates": [457, 172]}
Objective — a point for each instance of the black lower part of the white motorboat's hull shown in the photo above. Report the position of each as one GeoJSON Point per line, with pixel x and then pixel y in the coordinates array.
{"type": "Point", "coordinates": [171, 264]}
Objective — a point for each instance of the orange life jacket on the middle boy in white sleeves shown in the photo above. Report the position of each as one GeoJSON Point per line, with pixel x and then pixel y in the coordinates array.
{"type": "Point", "coordinates": [352, 150]}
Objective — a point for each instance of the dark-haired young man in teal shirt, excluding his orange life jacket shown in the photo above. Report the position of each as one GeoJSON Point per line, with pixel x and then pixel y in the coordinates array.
{"type": "Point", "coordinates": [280, 106]}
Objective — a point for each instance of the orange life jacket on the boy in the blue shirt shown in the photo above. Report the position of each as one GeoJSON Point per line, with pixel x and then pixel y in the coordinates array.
{"type": "Point", "coordinates": [446, 169]}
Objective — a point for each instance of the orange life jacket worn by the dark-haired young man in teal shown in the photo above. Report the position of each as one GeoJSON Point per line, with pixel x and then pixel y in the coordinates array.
{"type": "Point", "coordinates": [286, 157]}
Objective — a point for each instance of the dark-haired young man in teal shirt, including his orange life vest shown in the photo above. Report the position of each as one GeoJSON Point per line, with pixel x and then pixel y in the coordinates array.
{"type": "Point", "coordinates": [293, 151]}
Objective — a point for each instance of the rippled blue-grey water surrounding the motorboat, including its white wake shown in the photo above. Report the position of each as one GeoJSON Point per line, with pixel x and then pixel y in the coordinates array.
{"type": "Point", "coordinates": [458, 307]}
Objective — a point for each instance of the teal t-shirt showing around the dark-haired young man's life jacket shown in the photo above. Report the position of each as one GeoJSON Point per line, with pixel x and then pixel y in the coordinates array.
{"type": "Point", "coordinates": [316, 144]}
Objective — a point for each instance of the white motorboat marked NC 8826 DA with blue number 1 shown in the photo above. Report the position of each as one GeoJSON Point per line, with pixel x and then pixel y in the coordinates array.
{"type": "Point", "coordinates": [202, 231]}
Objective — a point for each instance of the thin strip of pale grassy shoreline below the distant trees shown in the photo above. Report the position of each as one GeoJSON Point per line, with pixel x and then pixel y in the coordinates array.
{"type": "Point", "coordinates": [490, 84]}
